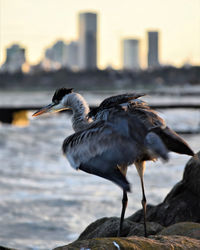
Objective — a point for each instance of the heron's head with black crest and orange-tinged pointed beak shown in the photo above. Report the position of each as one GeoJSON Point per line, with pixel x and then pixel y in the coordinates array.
{"type": "Point", "coordinates": [59, 102]}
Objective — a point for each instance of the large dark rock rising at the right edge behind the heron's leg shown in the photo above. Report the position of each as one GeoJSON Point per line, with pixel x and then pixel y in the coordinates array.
{"type": "Point", "coordinates": [183, 201]}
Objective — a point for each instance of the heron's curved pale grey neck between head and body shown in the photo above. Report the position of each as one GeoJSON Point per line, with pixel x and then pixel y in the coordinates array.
{"type": "Point", "coordinates": [80, 110]}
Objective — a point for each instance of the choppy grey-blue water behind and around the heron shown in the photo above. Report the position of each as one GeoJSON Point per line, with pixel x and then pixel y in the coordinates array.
{"type": "Point", "coordinates": [44, 203]}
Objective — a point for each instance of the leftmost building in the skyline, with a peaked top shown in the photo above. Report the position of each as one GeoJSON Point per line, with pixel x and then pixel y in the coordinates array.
{"type": "Point", "coordinates": [15, 58]}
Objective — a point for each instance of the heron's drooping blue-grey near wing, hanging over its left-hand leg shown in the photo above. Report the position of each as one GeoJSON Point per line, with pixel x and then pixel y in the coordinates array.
{"type": "Point", "coordinates": [101, 148]}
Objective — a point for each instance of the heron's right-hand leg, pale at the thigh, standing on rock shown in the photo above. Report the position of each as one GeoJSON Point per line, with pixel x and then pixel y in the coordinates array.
{"type": "Point", "coordinates": [140, 168]}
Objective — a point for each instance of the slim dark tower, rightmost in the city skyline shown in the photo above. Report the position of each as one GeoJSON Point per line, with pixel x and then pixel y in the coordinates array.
{"type": "Point", "coordinates": [153, 49]}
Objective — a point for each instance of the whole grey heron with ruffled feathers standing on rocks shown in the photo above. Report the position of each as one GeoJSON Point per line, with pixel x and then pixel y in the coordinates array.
{"type": "Point", "coordinates": [123, 130]}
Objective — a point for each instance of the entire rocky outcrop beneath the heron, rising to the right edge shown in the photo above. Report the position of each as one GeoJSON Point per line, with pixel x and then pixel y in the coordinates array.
{"type": "Point", "coordinates": [166, 224]}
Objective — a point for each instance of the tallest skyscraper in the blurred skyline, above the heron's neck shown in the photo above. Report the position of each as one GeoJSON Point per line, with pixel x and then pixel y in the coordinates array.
{"type": "Point", "coordinates": [87, 55]}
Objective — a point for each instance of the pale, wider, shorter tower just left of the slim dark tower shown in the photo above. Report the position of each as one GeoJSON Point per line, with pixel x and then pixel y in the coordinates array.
{"type": "Point", "coordinates": [131, 54]}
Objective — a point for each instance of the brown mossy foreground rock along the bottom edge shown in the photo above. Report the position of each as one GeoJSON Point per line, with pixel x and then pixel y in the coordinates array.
{"type": "Point", "coordinates": [137, 243]}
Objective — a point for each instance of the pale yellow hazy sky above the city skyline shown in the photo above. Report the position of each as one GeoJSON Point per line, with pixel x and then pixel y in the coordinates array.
{"type": "Point", "coordinates": [36, 24]}
